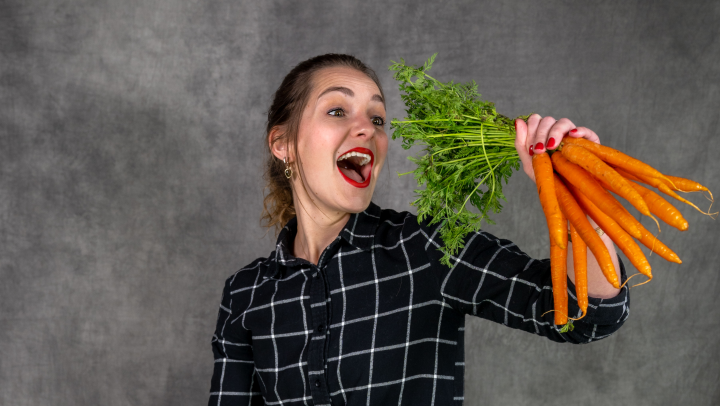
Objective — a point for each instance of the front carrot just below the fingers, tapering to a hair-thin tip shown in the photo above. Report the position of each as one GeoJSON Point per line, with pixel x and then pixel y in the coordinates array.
{"type": "Point", "coordinates": [586, 159]}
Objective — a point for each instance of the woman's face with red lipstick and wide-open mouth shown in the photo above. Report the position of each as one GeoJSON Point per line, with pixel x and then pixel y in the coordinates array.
{"type": "Point", "coordinates": [342, 142]}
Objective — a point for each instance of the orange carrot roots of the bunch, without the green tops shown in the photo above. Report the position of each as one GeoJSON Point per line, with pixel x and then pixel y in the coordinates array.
{"type": "Point", "coordinates": [573, 183]}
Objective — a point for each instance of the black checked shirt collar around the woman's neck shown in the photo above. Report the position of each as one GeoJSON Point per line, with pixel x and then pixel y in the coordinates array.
{"type": "Point", "coordinates": [359, 231]}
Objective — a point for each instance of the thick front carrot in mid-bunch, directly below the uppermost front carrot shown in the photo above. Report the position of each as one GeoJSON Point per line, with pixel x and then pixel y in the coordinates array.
{"type": "Point", "coordinates": [579, 178]}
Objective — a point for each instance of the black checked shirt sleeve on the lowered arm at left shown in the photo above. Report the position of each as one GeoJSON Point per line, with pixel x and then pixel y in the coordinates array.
{"type": "Point", "coordinates": [234, 381]}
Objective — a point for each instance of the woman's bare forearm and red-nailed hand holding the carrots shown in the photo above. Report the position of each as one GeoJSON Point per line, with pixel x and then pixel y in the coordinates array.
{"type": "Point", "coordinates": [539, 135]}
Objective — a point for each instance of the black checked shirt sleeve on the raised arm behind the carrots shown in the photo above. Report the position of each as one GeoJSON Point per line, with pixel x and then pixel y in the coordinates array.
{"type": "Point", "coordinates": [493, 279]}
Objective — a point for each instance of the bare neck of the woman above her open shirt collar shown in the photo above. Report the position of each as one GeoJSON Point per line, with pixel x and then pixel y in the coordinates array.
{"type": "Point", "coordinates": [316, 229]}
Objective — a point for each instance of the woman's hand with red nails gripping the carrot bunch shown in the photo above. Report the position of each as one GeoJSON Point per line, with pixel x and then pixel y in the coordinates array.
{"type": "Point", "coordinates": [540, 134]}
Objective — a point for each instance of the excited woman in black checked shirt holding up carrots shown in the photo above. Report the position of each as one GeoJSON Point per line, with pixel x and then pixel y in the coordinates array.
{"type": "Point", "coordinates": [353, 306]}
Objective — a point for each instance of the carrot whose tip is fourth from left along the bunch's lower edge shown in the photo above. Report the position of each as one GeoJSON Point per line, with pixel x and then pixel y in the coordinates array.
{"type": "Point", "coordinates": [619, 236]}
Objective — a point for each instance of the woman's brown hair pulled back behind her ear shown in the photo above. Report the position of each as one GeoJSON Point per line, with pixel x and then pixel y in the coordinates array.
{"type": "Point", "coordinates": [286, 110]}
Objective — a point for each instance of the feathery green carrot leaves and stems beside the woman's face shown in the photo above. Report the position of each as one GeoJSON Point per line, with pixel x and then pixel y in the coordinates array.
{"type": "Point", "coordinates": [469, 151]}
